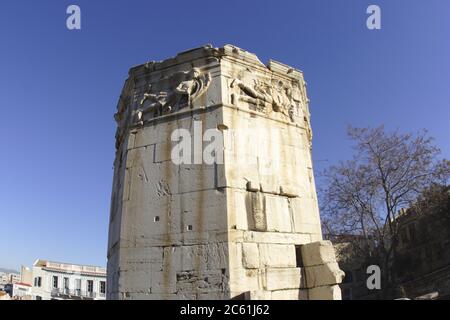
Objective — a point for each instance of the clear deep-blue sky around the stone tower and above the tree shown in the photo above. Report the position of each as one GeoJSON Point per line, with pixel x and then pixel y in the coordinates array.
{"type": "Point", "coordinates": [59, 90]}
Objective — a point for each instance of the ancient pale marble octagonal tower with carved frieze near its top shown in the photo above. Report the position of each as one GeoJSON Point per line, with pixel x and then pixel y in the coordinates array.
{"type": "Point", "coordinates": [213, 194]}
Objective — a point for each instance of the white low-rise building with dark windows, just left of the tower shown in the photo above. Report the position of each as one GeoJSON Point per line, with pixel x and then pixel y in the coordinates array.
{"type": "Point", "coordinates": [62, 281]}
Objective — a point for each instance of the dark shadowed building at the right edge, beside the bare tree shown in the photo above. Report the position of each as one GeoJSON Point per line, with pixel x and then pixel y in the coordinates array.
{"type": "Point", "coordinates": [423, 253]}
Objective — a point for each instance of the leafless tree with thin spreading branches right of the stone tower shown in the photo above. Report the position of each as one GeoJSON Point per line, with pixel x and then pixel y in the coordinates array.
{"type": "Point", "coordinates": [361, 197]}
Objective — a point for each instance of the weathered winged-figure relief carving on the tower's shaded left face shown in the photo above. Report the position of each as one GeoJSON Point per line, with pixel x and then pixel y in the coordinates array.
{"type": "Point", "coordinates": [183, 89]}
